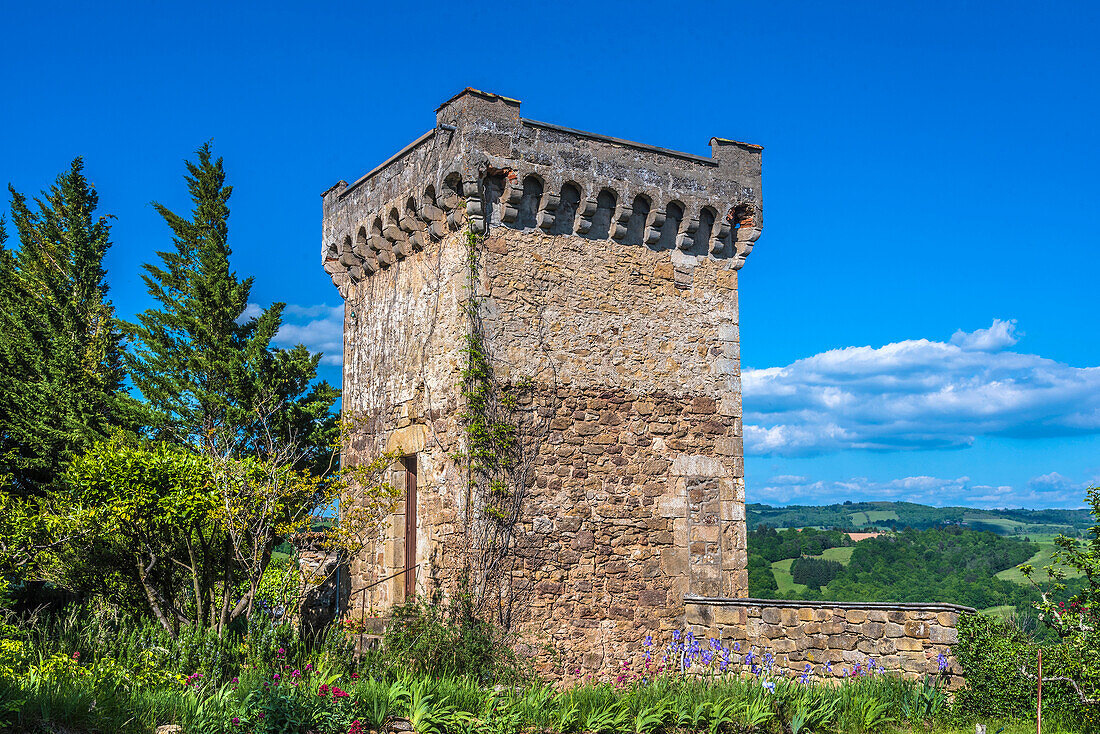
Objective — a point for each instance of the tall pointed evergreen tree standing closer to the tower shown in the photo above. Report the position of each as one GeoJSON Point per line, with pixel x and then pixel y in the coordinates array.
{"type": "Point", "coordinates": [207, 370]}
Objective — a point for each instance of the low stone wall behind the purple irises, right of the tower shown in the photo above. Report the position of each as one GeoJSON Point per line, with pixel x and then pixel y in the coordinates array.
{"type": "Point", "coordinates": [833, 638]}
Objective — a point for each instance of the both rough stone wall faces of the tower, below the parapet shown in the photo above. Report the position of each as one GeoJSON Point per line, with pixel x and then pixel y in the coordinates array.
{"type": "Point", "coordinates": [639, 496]}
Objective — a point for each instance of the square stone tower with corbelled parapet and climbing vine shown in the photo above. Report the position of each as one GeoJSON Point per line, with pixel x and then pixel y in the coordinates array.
{"type": "Point", "coordinates": [544, 322]}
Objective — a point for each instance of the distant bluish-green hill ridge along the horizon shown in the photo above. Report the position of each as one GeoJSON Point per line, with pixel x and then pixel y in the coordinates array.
{"type": "Point", "coordinates": [898, 516]}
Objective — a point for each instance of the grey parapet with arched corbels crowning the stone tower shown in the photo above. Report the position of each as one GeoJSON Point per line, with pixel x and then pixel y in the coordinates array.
{"type": "Point", "coordinates": [486, 166]}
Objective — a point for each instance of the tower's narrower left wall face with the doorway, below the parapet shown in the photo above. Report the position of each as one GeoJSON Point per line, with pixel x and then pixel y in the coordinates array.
{"type": "Point", "coordinates": [403, 338]}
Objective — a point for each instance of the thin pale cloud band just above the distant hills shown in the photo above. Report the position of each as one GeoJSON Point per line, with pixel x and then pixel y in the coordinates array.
{"type": "Point", "coordinates": [936, 491]}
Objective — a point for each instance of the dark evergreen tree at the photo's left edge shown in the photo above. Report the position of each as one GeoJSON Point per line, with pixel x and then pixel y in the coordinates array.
{"type": "Point", "coordinates": [61, 349]}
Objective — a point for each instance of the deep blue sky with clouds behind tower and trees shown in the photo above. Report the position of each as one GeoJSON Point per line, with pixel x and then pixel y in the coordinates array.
{"type": "Point", "coordinates": [919, 317]}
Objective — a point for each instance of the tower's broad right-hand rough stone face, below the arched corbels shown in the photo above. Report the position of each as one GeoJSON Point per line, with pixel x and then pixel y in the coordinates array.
{"type": "Point", "coordinates": [640, 494]}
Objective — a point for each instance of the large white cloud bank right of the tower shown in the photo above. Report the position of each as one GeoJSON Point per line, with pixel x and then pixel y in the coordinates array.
{"type": "Point", "coordinates": [917, 395]}
